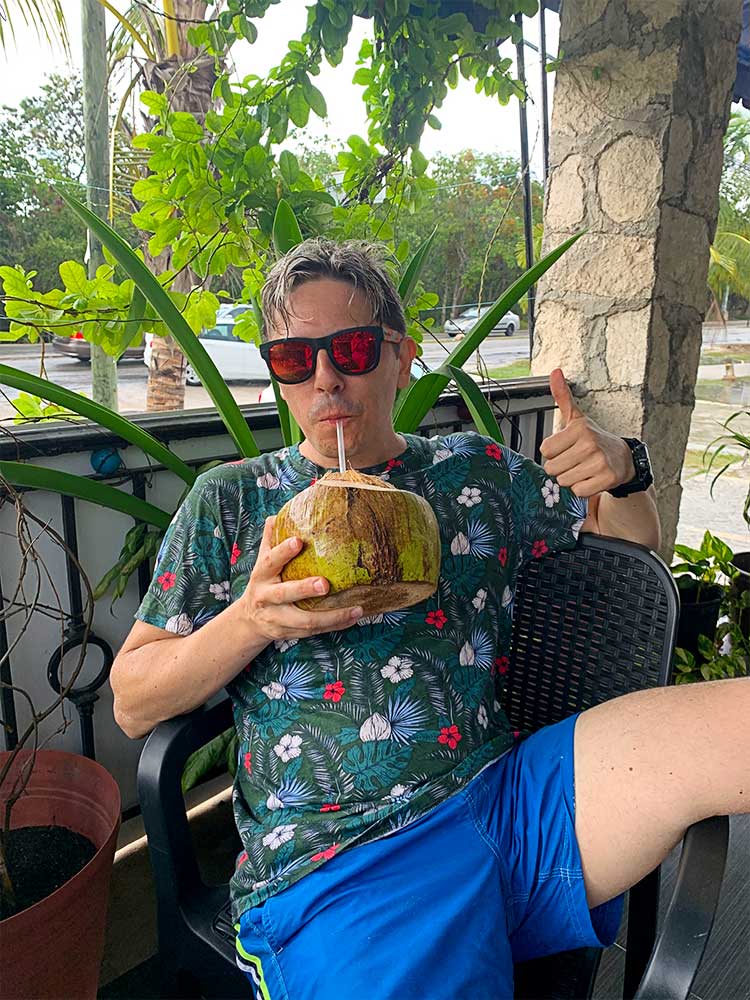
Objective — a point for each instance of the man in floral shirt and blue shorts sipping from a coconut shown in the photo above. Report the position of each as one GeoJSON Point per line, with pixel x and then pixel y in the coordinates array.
{"type": "Point", "coordinates": [399, 839]}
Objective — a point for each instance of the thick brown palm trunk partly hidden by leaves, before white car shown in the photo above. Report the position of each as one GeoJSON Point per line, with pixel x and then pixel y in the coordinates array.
{"type": "Point", "coordinates": [188, 91]}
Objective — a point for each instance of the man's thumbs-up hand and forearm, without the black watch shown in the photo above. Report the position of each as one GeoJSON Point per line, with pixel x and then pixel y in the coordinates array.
{"type": "Point", "coordinates": [590, 461]}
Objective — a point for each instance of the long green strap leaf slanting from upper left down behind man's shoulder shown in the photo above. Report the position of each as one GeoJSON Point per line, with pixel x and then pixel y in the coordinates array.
{"type": "Point", "coordinates": [175, 322]}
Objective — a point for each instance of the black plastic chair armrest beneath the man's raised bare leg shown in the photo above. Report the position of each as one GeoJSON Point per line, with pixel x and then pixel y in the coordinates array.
{"type": "Point", "coordinates": [690, 915]}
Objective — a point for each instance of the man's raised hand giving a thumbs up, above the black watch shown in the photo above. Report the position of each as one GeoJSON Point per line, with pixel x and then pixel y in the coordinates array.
{"type": "Point", "coordinates": [580, 455]}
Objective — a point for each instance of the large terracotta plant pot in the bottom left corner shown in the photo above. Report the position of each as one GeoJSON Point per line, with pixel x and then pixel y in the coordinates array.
{"type": "Point", "coordinates": [54, 948]}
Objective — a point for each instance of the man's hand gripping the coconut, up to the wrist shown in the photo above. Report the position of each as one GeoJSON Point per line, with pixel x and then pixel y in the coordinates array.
{"type": "Point", "coordinates": [269, 604]}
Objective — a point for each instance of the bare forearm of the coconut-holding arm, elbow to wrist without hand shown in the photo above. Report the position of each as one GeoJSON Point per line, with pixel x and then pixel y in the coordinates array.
{"type": "Point", "coordinates": [173, 676]}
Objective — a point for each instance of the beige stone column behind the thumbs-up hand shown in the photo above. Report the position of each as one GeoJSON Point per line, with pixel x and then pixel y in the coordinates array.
{"type": "Point", "coordinates": [641, 104]}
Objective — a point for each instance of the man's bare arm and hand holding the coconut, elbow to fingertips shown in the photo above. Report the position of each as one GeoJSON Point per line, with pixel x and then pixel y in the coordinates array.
{"type": "Point", "coordinates": [157, 675]}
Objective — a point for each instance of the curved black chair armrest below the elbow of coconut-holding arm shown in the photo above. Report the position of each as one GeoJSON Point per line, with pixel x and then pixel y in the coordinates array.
{"type": "Point", "coordinates": [160, 770]}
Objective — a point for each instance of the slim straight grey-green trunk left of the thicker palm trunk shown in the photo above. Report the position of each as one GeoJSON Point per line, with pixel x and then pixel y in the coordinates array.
{"type": "Point", "coordinates": [95, 107]}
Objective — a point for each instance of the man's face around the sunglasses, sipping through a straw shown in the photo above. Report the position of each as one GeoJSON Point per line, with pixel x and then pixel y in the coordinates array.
{"type": "Point", "coordinates": [318, 308]}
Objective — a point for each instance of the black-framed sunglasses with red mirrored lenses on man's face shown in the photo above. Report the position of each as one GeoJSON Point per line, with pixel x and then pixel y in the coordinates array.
{"type": "Point", "coordinates": [354, 351]}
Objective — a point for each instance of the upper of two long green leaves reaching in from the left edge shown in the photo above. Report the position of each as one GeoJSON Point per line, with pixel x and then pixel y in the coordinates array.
{"type": "Point", "coordinates": [102, 415]}
